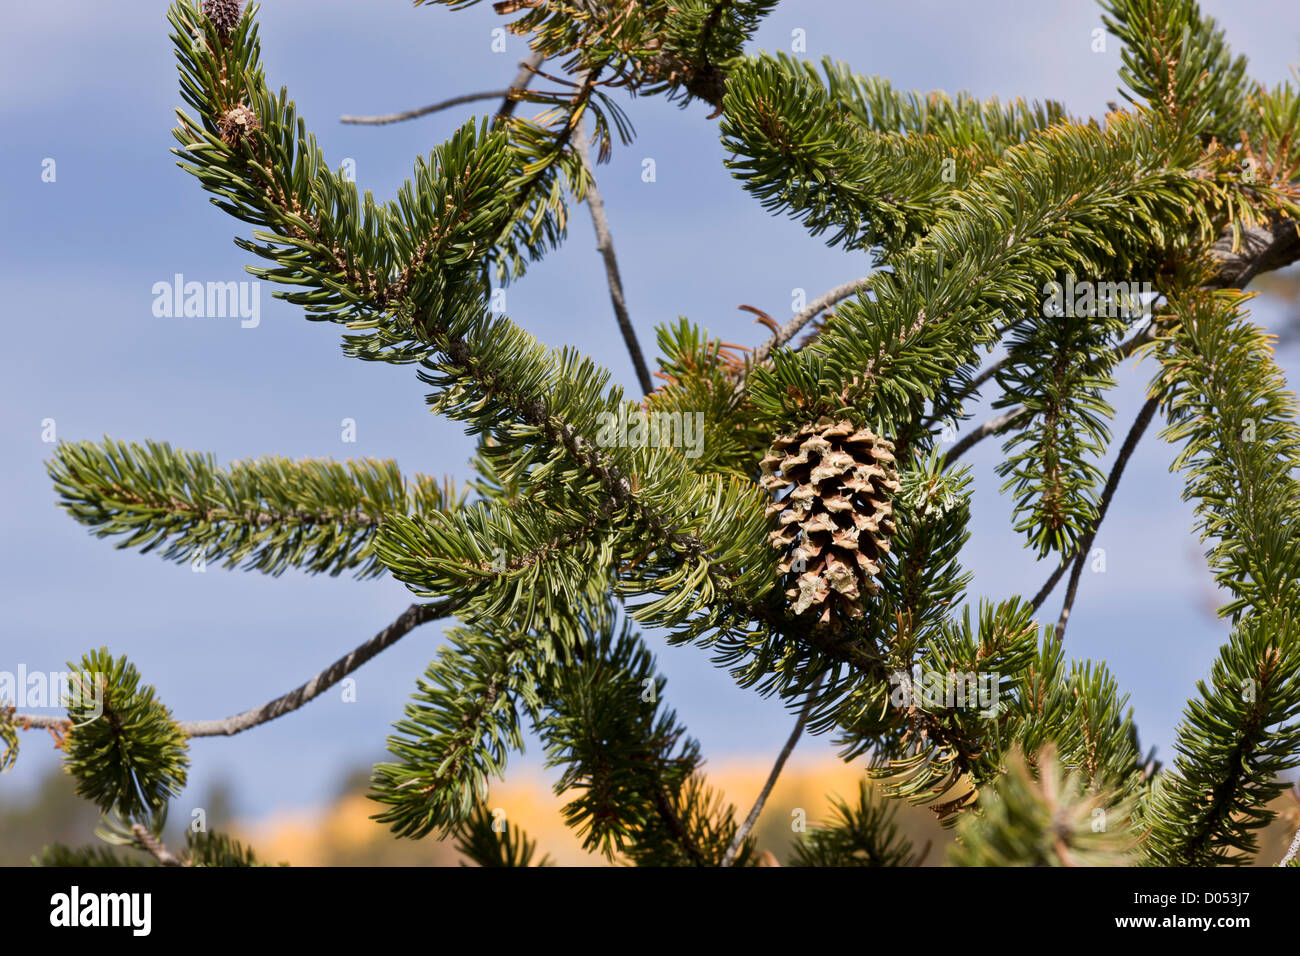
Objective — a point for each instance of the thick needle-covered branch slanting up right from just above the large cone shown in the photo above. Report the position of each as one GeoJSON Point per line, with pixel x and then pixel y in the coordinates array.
{"type": "Point", "coordinates": [977, 265]}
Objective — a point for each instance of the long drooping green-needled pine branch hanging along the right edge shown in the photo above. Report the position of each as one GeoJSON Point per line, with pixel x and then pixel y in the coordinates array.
{"type": "Point", "coordinates": [1228, 401]}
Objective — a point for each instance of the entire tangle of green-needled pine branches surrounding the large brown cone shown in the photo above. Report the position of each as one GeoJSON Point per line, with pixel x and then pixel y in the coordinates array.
{"type": "Point", "coordinates": [970, 206]}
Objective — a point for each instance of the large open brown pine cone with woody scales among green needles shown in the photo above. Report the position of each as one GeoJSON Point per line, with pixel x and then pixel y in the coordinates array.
{"type": "Point", "coordinates": [835, 522]}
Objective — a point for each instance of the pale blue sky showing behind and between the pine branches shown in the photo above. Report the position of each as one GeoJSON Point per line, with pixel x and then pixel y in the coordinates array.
{"type": "Point", "coordinates": [93, 86]}
